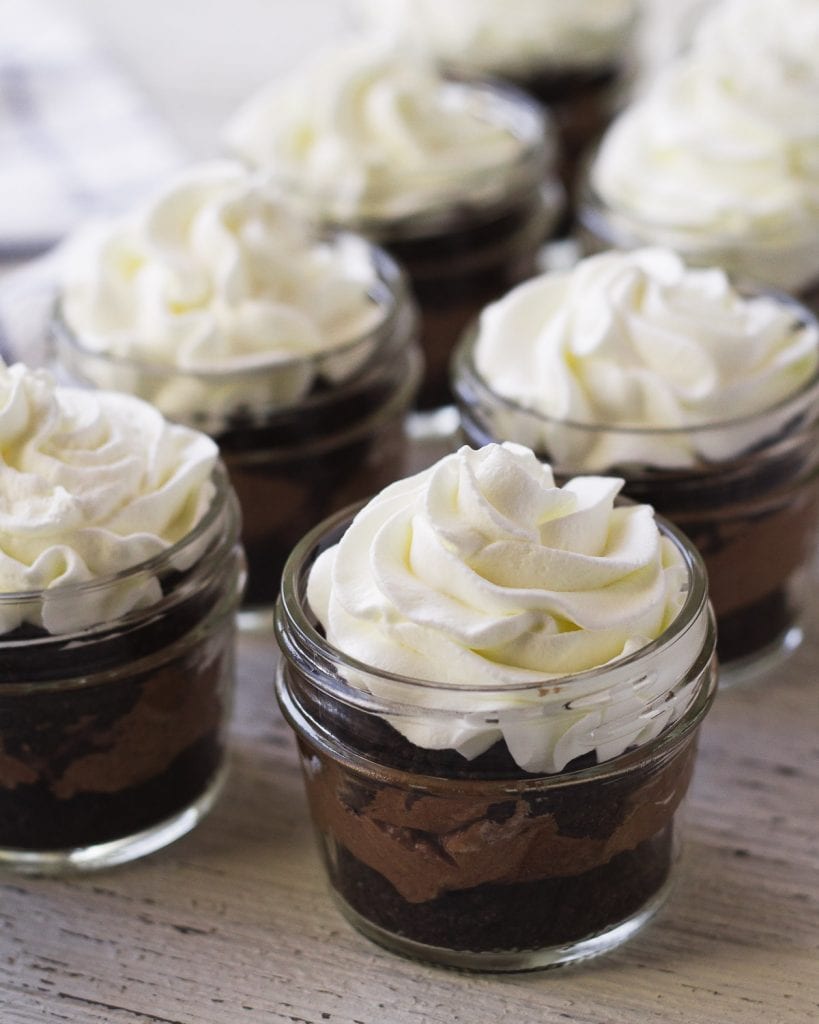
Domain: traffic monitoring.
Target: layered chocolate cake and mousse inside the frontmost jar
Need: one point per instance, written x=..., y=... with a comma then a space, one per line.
x=478, y=856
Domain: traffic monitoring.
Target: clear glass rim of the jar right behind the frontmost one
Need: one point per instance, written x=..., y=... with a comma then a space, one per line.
x=464, y=358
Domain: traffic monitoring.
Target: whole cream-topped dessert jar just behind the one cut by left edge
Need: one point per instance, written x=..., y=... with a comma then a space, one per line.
x=296, y=352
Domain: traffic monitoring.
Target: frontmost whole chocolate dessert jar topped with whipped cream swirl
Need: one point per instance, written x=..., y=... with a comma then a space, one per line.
x=497, y=686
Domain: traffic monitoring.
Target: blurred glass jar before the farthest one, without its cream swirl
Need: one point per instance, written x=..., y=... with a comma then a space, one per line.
x=475, y=236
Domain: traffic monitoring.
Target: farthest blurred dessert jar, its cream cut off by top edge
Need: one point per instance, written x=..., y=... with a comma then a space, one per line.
x=571, y=57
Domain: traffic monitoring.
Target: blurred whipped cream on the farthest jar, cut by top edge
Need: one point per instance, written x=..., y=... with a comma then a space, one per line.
x=497, y=37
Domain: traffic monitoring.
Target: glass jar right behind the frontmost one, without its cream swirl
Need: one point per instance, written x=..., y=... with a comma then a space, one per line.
x=753, y=516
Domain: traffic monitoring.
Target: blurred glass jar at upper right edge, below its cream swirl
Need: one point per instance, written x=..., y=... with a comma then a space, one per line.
x=770, y=259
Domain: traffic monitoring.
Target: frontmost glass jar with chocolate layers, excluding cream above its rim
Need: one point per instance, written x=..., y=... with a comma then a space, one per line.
x=481, y=865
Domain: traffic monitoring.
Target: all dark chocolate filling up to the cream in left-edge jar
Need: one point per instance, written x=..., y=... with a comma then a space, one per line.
x=91, y=752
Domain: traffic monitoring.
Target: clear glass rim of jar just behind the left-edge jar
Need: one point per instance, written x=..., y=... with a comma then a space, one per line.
x=390, y=276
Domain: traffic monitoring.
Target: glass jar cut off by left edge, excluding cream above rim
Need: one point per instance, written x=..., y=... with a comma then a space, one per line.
x=114, y=735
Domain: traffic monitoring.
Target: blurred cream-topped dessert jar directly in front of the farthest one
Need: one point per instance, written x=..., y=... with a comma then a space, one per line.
x=453, y=179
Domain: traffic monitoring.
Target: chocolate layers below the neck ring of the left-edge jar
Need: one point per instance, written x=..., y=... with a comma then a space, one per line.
x=89, y=764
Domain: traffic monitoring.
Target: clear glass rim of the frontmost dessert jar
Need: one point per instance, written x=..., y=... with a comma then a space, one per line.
x=291, y=616
